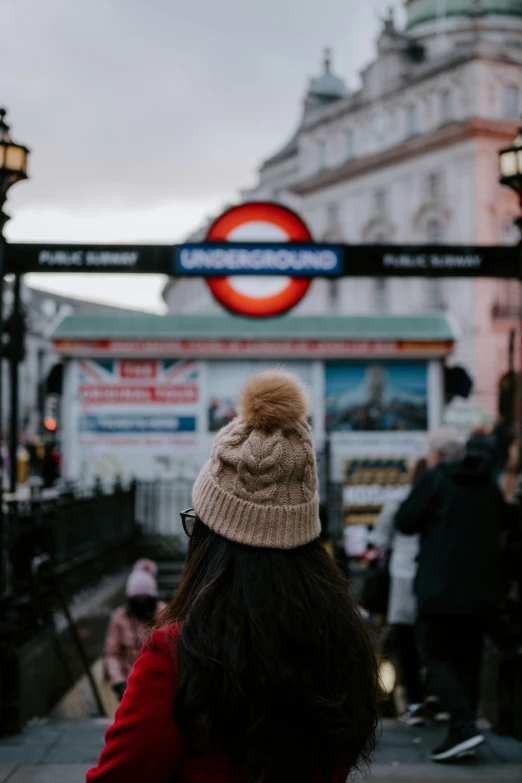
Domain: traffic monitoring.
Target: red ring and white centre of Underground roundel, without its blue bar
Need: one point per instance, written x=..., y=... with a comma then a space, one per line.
x=258, y=296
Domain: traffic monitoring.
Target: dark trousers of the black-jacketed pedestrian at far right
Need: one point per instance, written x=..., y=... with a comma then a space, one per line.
x=452, y=648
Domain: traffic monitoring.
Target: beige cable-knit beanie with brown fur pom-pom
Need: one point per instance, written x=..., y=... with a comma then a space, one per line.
x=260, y=485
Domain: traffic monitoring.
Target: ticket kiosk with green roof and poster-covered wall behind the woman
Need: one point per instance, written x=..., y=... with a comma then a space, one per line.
x=144, y=394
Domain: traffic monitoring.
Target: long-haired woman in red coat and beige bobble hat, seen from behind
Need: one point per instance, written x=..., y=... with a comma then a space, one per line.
x=262, y=669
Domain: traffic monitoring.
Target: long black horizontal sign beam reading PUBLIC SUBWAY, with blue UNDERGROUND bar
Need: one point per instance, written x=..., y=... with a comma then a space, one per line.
x=356, y=260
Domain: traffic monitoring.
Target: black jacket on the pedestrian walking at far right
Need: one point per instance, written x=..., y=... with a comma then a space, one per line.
x=459, y=511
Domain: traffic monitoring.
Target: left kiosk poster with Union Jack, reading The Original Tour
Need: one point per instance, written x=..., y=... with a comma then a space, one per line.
x=135, y=418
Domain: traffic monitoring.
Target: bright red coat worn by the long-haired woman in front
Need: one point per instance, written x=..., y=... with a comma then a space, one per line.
x=144, y=743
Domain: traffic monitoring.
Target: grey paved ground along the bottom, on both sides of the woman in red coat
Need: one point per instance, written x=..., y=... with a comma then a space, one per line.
x=61, y=751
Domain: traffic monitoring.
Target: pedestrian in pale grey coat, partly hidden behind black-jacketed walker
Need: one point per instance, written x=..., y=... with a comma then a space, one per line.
x=401, y=616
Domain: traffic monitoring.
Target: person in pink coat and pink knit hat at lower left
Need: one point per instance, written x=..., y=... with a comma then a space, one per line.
x=128, y=624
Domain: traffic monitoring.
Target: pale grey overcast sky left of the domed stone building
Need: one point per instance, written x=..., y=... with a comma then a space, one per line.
x=144, y=116
